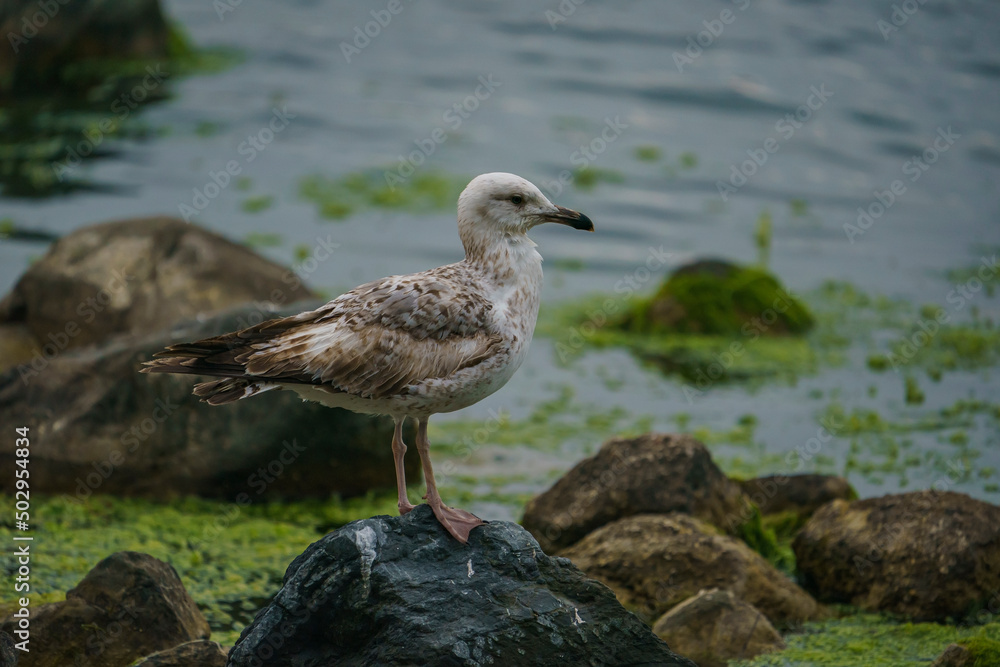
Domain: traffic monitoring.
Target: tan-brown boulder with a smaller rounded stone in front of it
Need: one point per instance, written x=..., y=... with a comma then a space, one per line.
x=654, y=562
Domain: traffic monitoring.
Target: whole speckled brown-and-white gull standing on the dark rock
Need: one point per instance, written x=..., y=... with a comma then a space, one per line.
x=405, y=346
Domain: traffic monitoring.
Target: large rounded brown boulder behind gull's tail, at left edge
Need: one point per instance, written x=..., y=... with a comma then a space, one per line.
x=132, y=277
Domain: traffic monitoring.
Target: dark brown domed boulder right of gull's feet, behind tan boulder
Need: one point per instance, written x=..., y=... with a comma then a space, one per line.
x=653, y=474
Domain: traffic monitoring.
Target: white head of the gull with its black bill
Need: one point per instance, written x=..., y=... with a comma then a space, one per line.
x=504, y=205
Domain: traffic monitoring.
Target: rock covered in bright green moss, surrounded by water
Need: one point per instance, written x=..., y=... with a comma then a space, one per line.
x=716, y=297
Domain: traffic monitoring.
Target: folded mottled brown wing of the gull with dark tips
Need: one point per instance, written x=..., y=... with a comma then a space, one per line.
x=371, y=342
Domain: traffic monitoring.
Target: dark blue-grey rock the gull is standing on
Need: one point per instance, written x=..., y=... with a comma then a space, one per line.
x=401, y=591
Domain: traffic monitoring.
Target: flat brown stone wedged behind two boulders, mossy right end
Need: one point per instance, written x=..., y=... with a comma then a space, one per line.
x=801, y=494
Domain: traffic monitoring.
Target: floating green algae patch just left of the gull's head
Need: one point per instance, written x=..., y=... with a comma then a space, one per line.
x=339, y=198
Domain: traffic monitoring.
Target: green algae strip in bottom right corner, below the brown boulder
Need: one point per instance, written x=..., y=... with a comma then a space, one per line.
x=873, y=640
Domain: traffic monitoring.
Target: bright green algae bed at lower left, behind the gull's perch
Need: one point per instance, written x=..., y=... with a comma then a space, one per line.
x=231, y=558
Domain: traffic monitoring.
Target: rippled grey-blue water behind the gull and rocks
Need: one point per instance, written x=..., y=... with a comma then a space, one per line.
x=556, y=79
